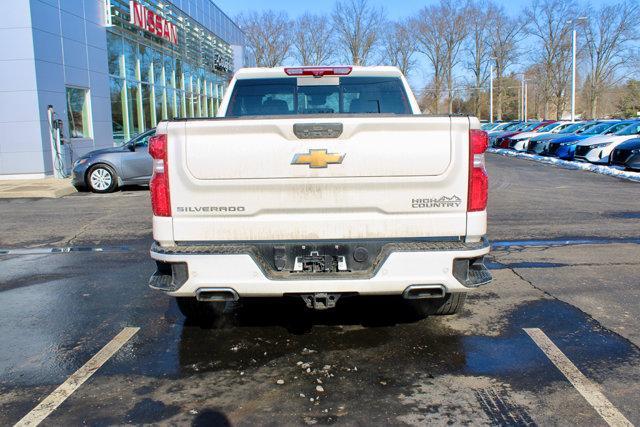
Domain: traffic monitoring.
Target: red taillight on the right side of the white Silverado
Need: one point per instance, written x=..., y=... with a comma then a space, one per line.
x=478, y=179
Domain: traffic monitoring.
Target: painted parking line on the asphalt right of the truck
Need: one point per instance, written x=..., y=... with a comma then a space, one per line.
x=586, y=388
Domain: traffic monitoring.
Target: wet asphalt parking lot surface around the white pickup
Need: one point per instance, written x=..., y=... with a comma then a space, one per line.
x=566, y=271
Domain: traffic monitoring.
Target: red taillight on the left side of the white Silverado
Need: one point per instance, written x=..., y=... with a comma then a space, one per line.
x=159, y=184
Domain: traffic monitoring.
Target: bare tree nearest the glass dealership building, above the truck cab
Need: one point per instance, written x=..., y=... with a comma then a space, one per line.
x=269, y=36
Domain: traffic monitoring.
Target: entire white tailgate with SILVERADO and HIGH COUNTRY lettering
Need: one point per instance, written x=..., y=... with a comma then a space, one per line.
x=367, y=177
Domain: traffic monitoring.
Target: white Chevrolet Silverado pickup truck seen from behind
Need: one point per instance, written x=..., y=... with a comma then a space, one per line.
x=319, y=183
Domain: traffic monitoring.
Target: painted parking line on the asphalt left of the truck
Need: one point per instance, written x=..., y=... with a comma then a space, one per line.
x=59, y=395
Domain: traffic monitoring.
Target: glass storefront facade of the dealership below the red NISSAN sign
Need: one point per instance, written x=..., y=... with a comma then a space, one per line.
x=154, y=80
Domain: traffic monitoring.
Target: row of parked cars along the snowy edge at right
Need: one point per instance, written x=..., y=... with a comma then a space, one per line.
x=612, y=142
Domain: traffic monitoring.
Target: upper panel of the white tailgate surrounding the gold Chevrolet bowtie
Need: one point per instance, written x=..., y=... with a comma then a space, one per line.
x=373, y=147
